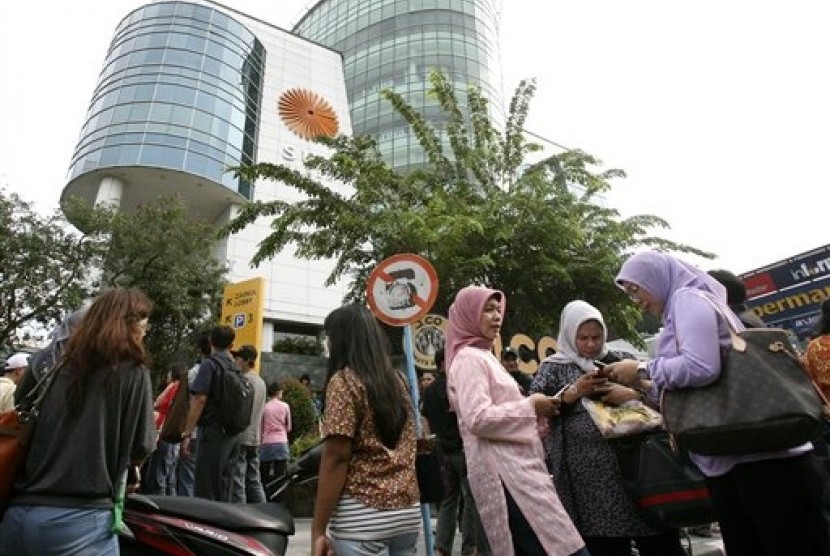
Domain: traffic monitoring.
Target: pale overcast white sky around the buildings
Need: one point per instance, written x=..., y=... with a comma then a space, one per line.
x=719, y=112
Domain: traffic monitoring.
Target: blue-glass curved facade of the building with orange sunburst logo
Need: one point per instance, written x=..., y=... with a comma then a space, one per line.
x=180, y=89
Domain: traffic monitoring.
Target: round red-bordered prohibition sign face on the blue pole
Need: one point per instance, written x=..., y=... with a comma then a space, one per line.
x=402, y=289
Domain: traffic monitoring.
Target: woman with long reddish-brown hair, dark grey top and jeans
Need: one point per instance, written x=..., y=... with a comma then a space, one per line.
x=95, y=421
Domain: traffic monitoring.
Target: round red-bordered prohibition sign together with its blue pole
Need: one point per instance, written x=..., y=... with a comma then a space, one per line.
x=401, y=290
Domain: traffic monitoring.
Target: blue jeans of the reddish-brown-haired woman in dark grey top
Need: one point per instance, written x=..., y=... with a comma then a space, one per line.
x=50, y=530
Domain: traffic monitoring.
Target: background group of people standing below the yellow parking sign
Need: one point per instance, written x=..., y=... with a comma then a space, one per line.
x=208, y=461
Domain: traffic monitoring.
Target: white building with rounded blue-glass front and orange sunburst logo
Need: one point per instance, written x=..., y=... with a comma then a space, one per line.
x=191, y=88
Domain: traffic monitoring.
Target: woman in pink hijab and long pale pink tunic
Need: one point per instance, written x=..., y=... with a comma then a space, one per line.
x=514, y=494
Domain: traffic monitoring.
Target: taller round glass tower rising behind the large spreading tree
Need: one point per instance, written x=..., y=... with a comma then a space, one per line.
x=395, y=44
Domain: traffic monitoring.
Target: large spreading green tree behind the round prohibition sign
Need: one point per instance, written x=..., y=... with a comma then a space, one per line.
x=477, y=211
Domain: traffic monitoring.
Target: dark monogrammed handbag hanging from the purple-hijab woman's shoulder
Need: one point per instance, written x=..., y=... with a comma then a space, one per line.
x=763, y=400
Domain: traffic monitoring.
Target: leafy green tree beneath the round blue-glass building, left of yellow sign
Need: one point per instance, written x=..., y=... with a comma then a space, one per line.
x=160, y=249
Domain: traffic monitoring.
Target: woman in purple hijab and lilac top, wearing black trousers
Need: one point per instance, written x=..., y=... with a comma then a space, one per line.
x=767, y=504
